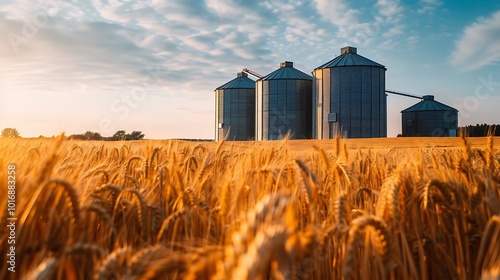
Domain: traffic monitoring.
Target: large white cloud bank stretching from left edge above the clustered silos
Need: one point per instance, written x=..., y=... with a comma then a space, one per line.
x=110, y=42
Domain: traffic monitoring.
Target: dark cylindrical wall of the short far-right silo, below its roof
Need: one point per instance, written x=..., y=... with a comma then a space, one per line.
x=429, y=123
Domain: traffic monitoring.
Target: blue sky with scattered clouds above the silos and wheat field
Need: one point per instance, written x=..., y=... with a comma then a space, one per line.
x=105, y=65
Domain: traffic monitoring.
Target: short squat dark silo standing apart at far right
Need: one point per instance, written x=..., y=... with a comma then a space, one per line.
x=430, y=118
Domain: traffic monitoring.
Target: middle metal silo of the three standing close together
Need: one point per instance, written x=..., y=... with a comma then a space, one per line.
x=284, y=104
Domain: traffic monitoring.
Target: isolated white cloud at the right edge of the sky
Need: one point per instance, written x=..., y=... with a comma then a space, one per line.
x=479, y=44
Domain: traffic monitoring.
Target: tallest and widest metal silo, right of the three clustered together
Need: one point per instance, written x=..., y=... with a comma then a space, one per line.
x=349, y=97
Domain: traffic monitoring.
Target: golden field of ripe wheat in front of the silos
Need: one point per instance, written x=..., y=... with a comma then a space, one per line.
x=421, y=208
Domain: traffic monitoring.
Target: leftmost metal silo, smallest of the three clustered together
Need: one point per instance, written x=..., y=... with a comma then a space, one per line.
x=235, y=109
